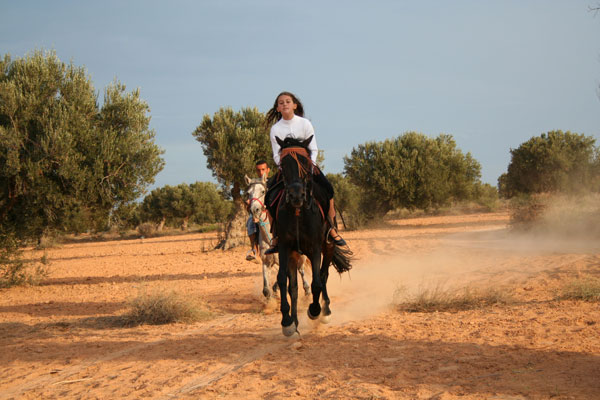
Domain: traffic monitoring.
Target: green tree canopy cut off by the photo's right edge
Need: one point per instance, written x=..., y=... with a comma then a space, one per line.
x=555, y=161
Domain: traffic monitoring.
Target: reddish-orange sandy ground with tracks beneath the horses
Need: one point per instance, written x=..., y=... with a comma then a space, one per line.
x=59, y=340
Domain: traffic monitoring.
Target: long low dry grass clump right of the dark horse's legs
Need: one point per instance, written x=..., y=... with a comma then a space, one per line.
x=439, y=298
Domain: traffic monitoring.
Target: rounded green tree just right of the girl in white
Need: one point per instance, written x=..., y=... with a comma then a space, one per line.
x=412, y=171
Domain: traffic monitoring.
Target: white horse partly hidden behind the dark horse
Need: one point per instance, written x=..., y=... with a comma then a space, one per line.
x=257, y=188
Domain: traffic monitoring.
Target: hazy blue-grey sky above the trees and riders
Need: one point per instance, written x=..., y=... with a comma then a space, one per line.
x=490, y=73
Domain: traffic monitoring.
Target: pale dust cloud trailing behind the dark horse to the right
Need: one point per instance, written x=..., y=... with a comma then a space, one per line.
x=486, y=258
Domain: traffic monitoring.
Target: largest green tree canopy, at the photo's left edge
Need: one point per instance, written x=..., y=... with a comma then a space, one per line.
x=60, y=151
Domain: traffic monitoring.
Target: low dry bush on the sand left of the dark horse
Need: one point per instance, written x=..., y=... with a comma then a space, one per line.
x=159, y=308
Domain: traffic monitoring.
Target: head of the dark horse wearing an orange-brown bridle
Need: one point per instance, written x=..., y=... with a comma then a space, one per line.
x=297, y=169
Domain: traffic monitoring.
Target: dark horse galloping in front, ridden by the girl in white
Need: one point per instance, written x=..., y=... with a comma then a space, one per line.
x=300, y=212
